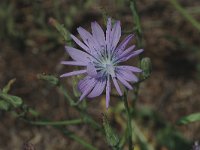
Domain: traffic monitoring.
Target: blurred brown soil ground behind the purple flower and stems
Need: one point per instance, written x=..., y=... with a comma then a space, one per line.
x=29, y=45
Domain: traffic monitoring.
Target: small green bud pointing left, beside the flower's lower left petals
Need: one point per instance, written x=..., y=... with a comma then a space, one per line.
x=49, y=78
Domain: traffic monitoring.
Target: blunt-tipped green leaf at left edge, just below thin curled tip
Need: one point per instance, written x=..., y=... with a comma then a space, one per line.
x=15, y=101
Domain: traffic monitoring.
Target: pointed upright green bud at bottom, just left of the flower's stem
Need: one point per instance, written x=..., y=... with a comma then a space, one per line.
x=111, y=136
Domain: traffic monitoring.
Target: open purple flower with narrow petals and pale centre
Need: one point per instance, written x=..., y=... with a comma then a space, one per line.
x=100, y=59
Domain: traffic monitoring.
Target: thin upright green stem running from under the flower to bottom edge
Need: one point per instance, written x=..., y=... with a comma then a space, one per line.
x=129, y=127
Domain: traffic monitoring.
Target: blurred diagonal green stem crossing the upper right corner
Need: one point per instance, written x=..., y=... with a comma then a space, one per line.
x=185, y=14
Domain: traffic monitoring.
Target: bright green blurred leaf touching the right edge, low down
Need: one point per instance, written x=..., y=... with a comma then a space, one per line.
x=190, y=118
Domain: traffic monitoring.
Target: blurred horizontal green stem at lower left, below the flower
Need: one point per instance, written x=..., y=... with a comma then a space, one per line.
x=57, y=123
